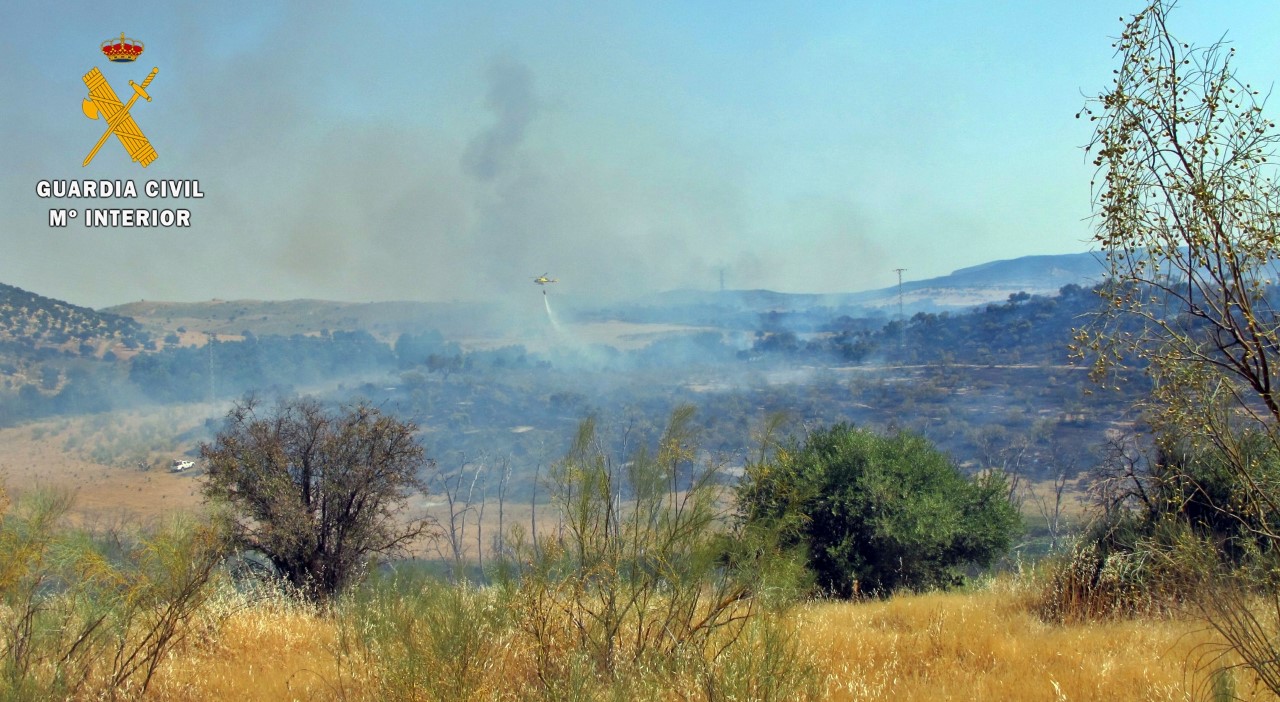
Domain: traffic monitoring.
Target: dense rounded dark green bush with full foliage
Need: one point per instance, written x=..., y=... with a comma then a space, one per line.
x=877, y=514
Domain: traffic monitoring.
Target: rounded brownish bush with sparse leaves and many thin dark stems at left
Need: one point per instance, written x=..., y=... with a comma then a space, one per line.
x=318, y=493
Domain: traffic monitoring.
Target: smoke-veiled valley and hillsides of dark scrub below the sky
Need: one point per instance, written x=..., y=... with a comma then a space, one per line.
x=488, y=388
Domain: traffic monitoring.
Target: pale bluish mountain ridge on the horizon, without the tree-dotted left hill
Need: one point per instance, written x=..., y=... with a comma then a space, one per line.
x=735, y=309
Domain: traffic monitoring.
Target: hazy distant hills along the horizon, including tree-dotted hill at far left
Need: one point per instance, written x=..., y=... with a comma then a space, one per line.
x=43, y=340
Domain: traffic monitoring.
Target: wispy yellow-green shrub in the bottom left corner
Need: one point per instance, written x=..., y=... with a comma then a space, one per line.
x=83, y=614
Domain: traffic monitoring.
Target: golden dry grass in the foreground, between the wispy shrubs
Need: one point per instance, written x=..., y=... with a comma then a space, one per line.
x=984, y=645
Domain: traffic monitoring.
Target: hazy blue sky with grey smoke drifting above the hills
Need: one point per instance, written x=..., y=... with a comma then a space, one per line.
x=456, y=151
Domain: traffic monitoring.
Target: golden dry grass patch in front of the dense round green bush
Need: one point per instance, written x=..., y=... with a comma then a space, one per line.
x=989, y=645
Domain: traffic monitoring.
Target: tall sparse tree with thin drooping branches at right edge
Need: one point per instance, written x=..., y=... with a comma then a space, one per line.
x=1188, y=212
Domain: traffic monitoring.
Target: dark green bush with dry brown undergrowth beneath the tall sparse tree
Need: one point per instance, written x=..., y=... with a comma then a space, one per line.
x=1168, y=531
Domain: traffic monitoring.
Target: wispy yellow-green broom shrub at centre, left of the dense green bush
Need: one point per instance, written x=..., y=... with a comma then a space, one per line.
x=642, y=577
